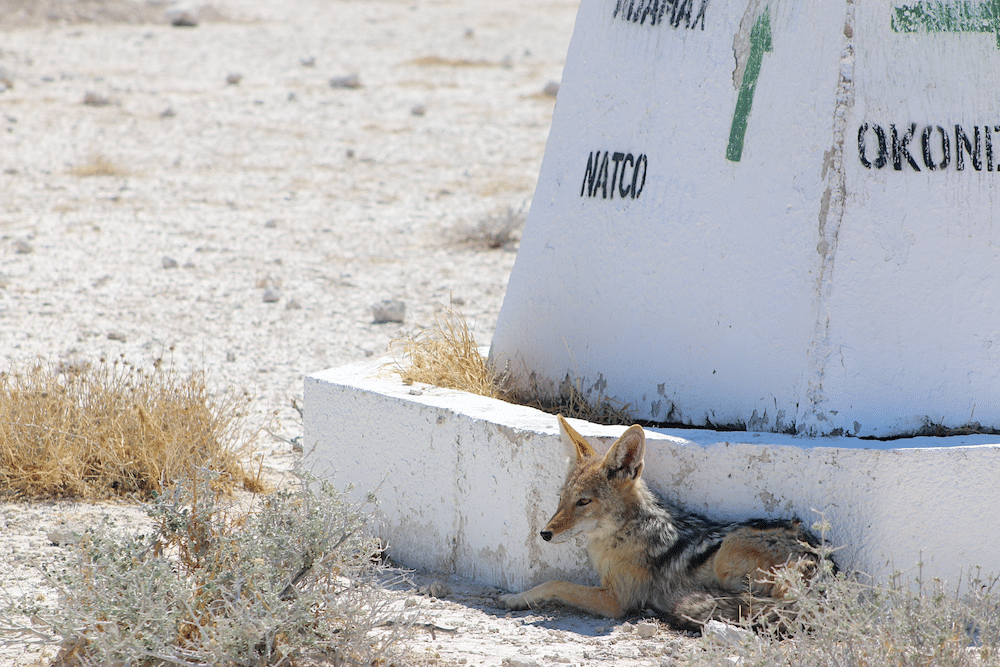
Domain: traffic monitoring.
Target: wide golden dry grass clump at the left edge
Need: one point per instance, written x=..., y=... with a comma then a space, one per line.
x=115, y=430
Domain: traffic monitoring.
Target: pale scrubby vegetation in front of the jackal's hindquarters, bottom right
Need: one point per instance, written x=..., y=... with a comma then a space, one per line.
x=848, y=622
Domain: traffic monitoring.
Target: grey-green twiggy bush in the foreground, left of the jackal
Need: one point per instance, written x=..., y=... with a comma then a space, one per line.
x=296, y=576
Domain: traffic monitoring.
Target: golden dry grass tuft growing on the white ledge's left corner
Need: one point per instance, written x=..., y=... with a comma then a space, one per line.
x=446, y=355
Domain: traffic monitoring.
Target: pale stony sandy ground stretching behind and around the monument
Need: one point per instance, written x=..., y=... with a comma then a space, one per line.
x=331, y=198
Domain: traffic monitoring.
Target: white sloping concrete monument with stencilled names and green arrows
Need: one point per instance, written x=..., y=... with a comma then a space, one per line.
x=776, y=214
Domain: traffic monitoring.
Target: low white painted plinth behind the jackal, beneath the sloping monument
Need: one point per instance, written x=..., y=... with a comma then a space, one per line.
x=465, y=482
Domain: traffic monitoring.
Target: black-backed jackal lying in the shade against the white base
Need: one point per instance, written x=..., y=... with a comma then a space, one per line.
x=653, y=554
